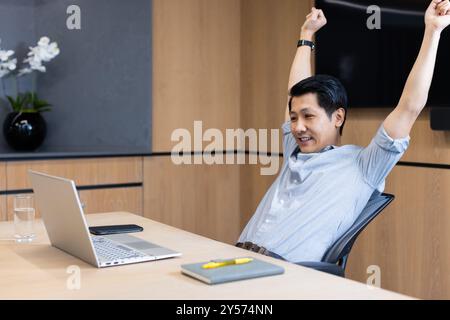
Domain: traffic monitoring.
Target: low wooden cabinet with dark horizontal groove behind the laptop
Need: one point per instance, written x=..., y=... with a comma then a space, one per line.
x=105, y=184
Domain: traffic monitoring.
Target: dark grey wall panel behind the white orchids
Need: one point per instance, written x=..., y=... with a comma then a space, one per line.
x=100, y=84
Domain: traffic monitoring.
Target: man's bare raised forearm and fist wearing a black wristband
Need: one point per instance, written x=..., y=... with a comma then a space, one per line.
x=301, y=67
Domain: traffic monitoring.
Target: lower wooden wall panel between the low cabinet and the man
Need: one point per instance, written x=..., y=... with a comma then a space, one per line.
x=202, y=199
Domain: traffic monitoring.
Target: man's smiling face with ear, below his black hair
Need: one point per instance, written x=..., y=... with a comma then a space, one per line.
x=311, y=126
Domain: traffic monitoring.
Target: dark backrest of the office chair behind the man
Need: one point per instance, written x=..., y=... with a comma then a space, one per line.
x=339, y=251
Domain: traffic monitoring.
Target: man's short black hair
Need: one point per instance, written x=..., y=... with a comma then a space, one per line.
x=331, y=94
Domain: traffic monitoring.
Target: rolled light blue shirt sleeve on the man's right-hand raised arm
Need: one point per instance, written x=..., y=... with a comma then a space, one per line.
x=380, y=156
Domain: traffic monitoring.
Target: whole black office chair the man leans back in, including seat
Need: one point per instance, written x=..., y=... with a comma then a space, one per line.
x=335, y=259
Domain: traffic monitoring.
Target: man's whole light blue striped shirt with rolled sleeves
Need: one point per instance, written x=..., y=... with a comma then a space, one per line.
x=317, y=196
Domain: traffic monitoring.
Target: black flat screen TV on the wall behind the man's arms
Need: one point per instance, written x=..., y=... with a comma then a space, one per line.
x=373, y=64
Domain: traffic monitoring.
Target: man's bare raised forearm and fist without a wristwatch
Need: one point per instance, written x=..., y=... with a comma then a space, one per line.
x=415, y=94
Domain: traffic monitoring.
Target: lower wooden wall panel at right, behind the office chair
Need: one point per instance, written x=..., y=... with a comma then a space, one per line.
x=409, y=241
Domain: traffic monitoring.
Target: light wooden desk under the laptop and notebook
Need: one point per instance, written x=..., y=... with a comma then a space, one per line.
x=39, y=271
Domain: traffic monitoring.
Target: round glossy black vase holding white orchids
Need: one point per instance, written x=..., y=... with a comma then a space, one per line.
x=24, y=131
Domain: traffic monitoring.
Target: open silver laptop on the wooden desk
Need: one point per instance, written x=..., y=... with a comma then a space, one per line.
x=62, y=213
